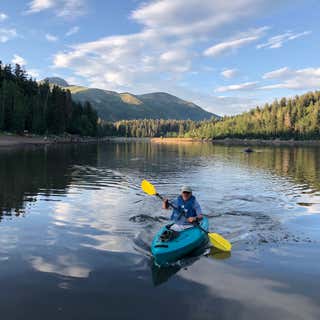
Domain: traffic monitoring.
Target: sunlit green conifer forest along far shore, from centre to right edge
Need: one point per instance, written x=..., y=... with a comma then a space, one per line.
x=295, y=118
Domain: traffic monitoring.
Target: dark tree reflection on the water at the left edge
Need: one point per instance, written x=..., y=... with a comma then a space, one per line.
x=27, y=172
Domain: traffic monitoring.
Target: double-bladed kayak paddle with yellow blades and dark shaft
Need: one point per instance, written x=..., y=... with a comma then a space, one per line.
x=216, y=240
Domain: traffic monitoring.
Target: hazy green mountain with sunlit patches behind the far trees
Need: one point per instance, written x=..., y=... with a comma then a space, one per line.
x=113, y=106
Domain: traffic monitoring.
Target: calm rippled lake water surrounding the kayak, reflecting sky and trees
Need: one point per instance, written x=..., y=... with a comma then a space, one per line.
x=75, y=232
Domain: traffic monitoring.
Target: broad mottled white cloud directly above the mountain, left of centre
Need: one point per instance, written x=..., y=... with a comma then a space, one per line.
x=128, y=60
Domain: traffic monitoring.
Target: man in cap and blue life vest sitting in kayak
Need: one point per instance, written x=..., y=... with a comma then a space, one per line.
x=187, y=210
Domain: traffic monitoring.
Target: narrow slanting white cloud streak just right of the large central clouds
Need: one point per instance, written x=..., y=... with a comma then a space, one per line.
x=235, y=43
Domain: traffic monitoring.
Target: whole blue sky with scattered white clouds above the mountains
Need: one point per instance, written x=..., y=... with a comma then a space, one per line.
x=226, y=56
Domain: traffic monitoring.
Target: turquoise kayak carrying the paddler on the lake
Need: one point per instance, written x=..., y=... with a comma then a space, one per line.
x=187, y=240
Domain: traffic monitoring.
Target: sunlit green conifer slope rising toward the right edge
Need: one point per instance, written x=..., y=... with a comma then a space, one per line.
x=297, y=118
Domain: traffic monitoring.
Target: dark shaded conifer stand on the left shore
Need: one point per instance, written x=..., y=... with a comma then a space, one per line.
x=29, y=106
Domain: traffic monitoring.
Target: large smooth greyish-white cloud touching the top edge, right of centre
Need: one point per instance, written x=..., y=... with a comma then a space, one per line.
x=191, y=17
